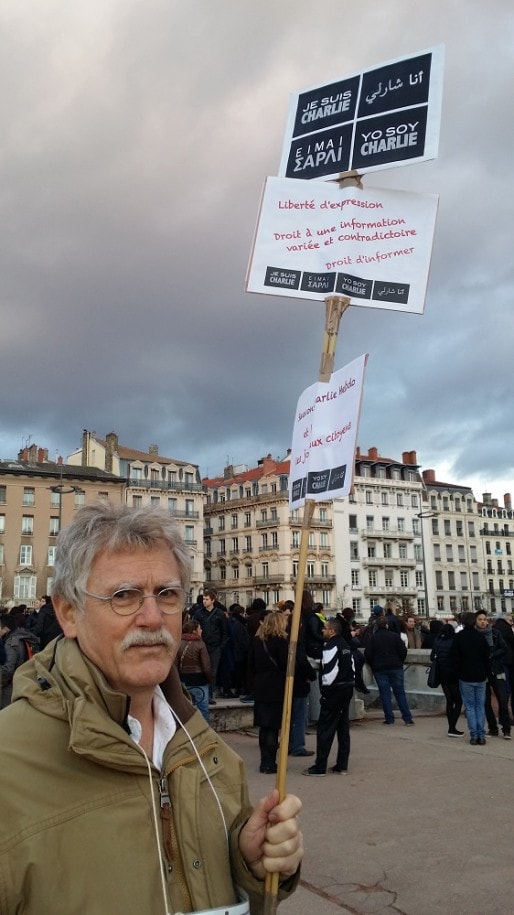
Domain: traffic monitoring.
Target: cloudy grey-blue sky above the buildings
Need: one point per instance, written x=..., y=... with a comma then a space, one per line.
x=136, y=137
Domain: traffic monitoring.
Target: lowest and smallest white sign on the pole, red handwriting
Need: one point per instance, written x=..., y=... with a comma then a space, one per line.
x=325, y=435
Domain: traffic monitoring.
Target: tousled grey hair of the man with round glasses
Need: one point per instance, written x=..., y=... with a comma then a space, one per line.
x=106, y=526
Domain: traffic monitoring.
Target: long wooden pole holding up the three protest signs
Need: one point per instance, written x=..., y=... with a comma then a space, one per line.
x=335, y=306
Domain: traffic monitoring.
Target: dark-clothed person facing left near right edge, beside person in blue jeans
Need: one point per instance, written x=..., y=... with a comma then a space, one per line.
x=499, y=655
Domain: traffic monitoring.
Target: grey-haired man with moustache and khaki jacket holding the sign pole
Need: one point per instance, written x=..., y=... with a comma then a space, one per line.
x=112, y=775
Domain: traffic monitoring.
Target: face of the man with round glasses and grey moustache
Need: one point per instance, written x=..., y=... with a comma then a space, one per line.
x=100, y=632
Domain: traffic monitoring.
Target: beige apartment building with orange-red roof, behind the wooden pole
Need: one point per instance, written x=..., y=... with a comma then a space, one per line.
x=252, y=541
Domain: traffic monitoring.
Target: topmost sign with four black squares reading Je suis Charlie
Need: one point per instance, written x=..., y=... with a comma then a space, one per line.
x=376, y=119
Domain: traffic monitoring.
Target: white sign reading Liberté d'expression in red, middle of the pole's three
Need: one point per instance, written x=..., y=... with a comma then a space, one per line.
x=314, y=239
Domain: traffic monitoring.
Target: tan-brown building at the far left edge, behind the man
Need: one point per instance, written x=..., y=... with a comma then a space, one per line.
x=37, y=498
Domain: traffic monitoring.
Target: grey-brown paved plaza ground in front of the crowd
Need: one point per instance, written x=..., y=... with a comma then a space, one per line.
x=421, y=825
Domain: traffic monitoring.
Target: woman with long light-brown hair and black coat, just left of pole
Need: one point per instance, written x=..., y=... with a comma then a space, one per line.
x=269, y=661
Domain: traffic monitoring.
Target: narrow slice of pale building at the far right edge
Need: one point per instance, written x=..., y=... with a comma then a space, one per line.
x=497, y=537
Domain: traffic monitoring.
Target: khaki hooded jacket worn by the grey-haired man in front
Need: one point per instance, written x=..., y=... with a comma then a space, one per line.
x=78, y=803
